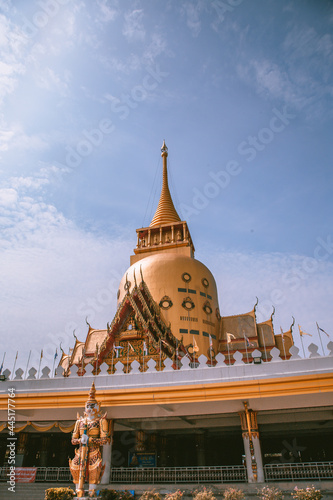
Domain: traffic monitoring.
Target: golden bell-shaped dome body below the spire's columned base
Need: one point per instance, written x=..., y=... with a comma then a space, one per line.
x=186, y=292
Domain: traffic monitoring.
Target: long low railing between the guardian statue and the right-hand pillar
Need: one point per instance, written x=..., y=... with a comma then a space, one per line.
x=153, y=475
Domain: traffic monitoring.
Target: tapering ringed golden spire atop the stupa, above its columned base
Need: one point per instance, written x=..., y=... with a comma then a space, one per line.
x=165, y=212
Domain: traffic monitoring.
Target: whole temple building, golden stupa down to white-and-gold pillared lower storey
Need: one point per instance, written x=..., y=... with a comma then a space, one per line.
x=182, y=384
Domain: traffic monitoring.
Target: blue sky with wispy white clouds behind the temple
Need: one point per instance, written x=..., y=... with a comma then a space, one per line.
x=242, y=94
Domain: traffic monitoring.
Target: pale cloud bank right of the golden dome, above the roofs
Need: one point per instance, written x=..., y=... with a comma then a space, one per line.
x=286, y=281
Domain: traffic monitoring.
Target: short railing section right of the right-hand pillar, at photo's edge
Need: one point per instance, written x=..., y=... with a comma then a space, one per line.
x=303, y=471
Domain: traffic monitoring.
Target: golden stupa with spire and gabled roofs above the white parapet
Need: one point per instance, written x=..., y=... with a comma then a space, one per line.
x=167, y=306
